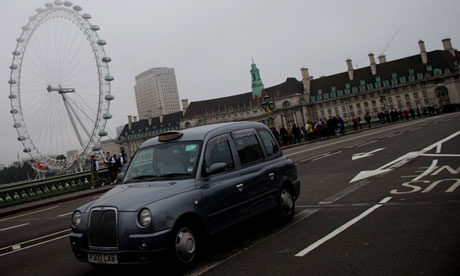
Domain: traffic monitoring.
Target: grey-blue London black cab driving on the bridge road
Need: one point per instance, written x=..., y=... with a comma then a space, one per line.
x=182, y=186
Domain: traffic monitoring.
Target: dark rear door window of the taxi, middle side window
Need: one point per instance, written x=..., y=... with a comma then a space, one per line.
x=247, y=146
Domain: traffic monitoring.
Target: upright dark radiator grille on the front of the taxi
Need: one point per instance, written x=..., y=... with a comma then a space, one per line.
x=102, y=229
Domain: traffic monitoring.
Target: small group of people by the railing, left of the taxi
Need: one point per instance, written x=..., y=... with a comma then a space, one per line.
x=115, y=164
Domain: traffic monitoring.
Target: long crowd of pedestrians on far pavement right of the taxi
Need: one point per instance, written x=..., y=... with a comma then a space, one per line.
x=335, y=125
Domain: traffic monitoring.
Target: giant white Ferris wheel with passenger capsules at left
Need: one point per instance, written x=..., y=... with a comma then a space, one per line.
x=60, y=86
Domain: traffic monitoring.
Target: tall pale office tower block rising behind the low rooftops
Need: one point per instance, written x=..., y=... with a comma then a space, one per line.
x=156, y=93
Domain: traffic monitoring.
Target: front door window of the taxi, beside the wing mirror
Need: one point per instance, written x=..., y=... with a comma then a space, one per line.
x=218, y=151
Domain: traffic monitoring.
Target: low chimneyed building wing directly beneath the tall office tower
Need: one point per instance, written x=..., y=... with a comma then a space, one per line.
x=136, y=132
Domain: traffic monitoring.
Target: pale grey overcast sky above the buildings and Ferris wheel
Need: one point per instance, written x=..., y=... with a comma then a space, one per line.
x=210, y=43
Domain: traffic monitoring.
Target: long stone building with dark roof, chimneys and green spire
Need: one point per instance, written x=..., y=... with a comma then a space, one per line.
x=419, y=81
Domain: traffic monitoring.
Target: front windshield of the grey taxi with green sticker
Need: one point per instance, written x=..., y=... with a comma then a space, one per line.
x=164, y=162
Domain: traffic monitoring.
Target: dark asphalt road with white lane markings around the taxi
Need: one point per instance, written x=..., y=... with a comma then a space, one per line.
x=384, y=201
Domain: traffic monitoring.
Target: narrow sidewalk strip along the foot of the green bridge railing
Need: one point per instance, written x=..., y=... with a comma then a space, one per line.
x=15, y=209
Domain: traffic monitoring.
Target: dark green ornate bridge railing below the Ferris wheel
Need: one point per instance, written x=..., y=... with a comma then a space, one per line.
x=12, y=194
